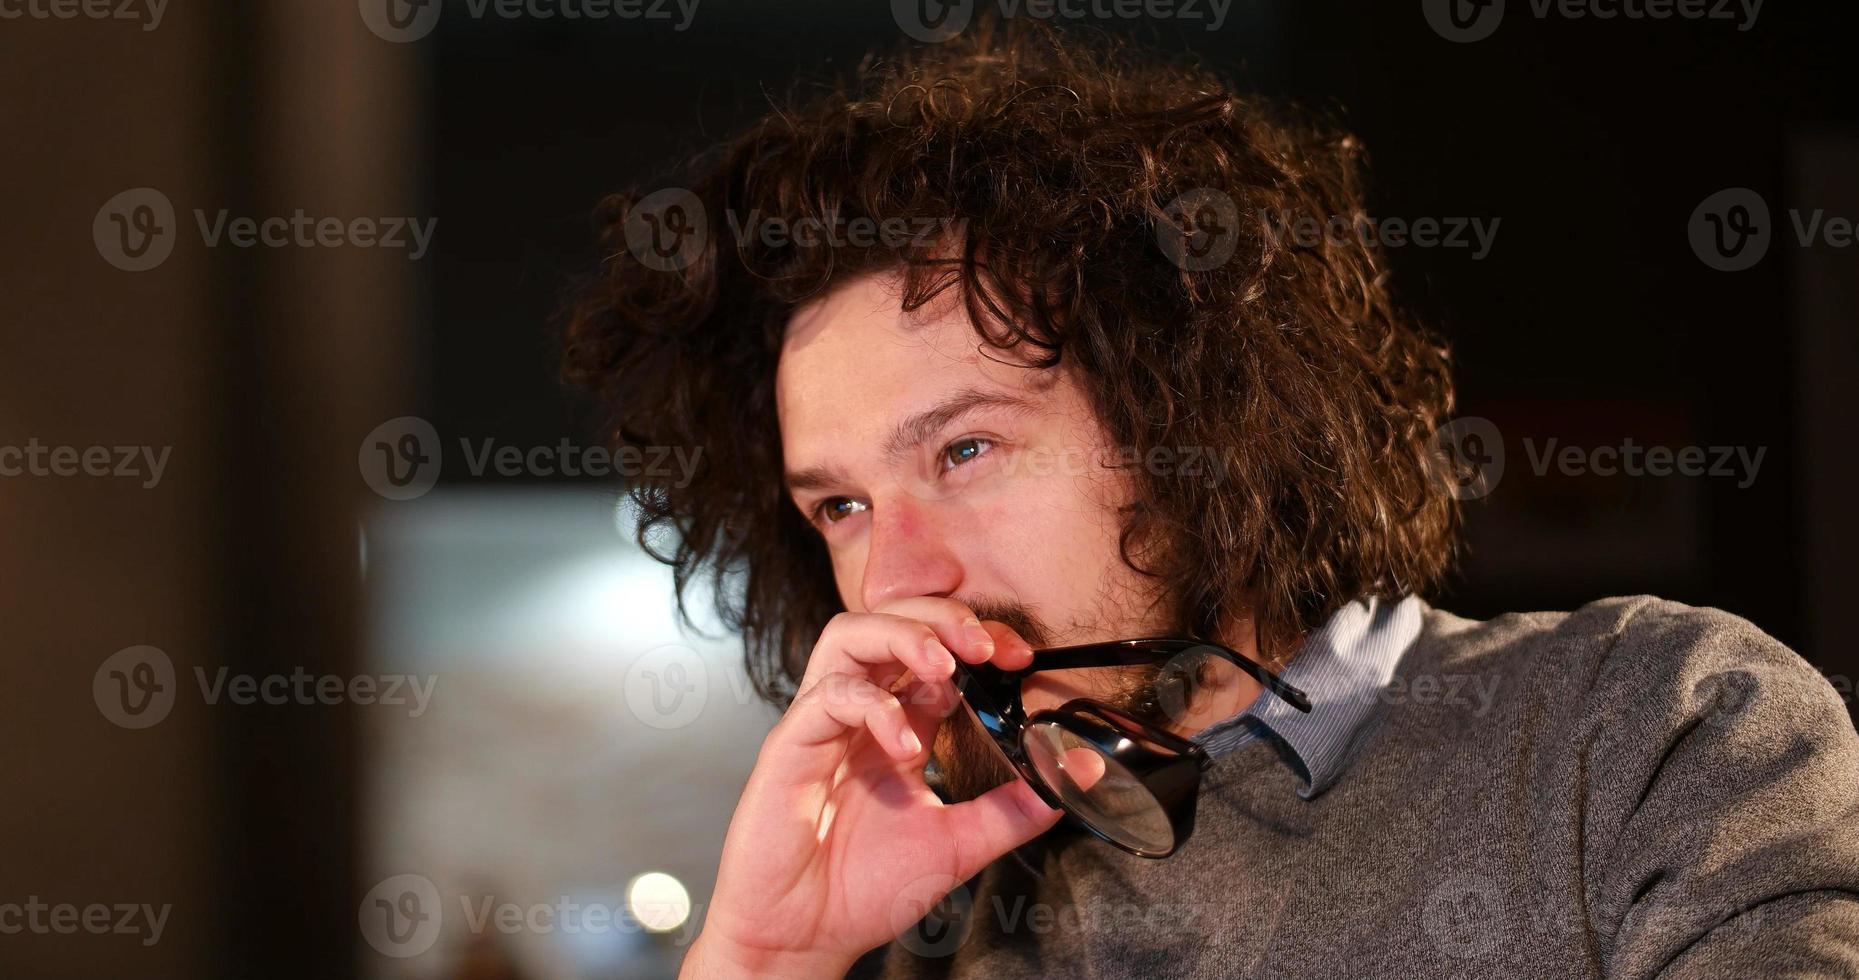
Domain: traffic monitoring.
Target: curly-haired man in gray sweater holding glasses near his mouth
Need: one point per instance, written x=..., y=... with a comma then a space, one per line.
x=1003, y=347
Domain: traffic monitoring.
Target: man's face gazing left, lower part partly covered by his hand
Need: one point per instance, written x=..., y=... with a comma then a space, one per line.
x=936, y=466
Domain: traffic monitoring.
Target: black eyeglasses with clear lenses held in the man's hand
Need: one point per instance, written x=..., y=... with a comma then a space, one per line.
x=1127, y=782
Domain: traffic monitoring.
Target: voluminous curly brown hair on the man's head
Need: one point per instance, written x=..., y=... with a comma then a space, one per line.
x=1059, y=157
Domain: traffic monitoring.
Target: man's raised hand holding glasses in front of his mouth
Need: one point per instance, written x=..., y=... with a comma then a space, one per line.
x=837, y=843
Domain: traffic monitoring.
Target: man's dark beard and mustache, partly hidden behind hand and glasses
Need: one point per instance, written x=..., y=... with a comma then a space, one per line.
x=969, y=763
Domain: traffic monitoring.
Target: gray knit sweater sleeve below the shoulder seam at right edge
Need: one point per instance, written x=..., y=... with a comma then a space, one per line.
x=1722, y=815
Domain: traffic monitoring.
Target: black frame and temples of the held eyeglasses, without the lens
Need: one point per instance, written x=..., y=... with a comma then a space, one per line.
x=1170, y=776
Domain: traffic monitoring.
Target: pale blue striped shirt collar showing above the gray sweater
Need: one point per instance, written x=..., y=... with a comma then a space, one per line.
x=1341, y=667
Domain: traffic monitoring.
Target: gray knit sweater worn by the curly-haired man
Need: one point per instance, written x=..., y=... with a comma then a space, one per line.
x=1655, y=791
